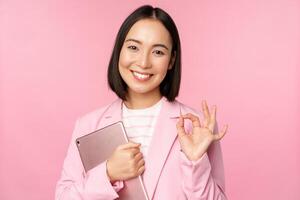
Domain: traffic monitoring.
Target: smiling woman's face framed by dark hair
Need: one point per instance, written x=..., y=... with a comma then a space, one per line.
x=145, y=57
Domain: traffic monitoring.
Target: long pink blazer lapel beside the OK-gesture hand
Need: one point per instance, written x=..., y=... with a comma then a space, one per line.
x=163, y=138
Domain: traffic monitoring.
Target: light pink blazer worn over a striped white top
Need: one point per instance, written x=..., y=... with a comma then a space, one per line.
x=168, y=175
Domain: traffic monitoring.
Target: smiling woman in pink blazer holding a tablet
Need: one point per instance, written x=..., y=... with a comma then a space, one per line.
x=177, y=160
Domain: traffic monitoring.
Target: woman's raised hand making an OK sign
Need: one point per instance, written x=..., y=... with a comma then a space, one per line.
x=195, y=144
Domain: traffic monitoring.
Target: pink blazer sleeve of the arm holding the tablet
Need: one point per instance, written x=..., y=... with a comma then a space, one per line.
x=75, y=184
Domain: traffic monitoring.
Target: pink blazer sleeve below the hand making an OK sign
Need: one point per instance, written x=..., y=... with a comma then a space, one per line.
x=204, y=179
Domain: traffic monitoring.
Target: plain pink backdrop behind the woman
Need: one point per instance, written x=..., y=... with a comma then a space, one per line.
x=242, y=56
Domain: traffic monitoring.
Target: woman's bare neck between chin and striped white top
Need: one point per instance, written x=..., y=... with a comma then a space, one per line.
x=140, y=101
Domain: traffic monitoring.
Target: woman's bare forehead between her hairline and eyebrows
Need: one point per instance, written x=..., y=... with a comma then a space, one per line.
x=149, y=31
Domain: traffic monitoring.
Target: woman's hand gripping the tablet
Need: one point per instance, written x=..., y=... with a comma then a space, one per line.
x=125, y=163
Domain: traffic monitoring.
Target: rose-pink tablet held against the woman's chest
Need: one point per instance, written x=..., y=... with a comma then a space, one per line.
x=96, y=147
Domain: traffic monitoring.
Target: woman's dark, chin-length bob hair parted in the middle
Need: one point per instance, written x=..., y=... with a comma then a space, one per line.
x=169, y=87
